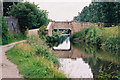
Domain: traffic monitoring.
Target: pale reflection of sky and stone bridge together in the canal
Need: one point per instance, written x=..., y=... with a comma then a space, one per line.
x=71, y=62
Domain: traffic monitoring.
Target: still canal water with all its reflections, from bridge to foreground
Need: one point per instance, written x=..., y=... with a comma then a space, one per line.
x=85, y=61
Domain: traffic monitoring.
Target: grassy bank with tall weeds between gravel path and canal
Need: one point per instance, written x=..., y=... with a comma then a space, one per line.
x=34, y=59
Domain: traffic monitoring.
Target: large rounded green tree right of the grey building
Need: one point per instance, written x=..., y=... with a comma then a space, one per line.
x=29, y=15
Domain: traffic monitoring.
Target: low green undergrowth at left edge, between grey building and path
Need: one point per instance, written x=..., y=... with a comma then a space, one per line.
x=6, y=36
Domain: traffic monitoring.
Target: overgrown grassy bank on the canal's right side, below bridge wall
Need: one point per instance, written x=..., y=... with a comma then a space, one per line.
x=107, y=38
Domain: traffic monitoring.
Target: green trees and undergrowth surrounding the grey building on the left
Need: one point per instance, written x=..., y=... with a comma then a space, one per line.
x=29, y=16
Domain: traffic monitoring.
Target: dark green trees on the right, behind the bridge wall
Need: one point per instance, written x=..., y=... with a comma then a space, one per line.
x=100, y=12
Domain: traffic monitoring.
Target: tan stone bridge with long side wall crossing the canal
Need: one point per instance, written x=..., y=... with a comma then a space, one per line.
x=74, y=26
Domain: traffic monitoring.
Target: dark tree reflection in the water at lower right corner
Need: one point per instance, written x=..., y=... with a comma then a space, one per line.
x=103, y=69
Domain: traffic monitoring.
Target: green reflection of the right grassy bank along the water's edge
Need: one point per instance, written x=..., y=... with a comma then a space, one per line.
x=99, y=53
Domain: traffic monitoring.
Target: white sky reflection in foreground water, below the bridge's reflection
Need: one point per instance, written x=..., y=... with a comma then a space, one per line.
x=75, y=68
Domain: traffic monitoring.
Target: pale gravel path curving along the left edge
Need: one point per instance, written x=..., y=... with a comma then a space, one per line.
x=7, y=68
